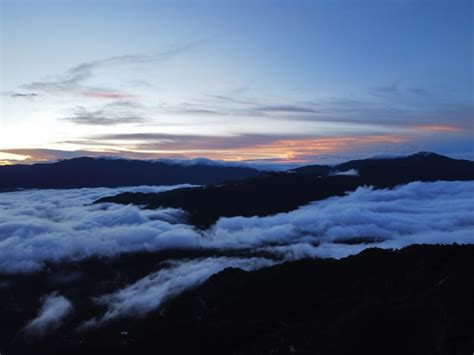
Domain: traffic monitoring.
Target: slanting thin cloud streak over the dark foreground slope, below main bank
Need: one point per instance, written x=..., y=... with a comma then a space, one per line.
x=150, y=292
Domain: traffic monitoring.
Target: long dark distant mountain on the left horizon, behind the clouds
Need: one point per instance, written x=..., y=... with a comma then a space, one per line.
x=103, y=172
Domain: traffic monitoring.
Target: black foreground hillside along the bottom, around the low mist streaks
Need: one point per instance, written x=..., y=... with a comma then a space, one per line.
x=419, y=300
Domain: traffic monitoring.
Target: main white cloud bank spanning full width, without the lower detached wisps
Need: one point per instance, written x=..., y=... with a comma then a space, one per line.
x=40, y=226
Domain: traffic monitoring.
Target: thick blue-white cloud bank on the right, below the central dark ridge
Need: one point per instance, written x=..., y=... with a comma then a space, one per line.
x=413, y=213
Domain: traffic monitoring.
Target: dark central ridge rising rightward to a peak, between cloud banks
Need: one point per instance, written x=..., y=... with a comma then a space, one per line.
x=272, y=193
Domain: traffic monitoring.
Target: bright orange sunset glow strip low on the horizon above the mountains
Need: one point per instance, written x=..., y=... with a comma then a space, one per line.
x=284, y=150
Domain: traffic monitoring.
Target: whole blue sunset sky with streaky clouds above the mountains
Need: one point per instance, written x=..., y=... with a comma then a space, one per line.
x=274, y=81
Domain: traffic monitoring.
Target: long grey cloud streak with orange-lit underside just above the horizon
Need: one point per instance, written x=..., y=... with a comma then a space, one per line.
x=246, y=147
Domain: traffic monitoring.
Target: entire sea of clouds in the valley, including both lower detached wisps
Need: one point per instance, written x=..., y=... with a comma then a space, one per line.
x=38, y=227
